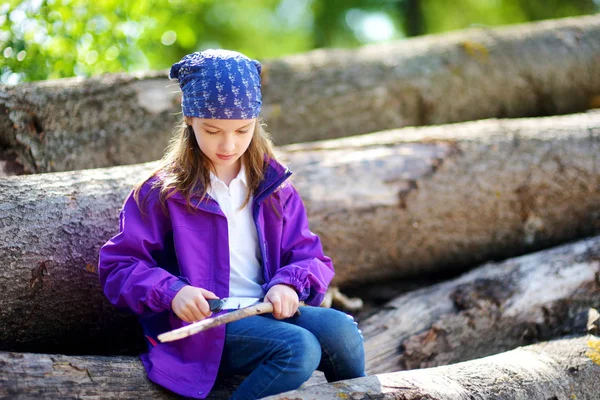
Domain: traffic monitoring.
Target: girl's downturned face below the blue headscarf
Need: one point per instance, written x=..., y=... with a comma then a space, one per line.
x=224, y=141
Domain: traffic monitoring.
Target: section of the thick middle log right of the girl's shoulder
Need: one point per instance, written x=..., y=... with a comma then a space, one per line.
x=439, y=199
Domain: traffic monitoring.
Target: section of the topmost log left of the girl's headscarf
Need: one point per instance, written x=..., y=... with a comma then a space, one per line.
x=72, y=124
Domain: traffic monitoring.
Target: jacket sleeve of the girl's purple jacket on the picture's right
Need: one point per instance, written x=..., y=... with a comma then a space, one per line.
x=303, y=264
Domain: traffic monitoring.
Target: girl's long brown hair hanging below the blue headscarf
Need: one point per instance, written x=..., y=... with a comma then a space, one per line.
x=185, y=169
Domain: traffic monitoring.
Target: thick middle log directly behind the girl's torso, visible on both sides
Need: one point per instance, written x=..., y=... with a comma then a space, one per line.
x=392, y=204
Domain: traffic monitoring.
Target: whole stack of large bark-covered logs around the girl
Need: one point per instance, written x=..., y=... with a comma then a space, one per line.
x=431, y=201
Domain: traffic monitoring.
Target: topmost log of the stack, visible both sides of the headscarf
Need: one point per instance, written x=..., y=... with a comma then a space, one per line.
x=543, y=68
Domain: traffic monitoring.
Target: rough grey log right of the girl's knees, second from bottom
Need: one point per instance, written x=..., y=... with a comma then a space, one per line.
x=492, y=309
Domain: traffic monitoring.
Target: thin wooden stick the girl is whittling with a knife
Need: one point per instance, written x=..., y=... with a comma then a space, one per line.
x=180, y=333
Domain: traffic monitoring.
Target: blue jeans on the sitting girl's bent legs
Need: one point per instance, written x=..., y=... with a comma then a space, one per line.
x=280, y=355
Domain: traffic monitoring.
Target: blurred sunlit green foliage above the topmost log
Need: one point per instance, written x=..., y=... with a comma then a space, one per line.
x=62, y=38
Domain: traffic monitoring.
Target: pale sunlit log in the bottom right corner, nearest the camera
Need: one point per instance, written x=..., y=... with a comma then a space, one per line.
x=561, y=369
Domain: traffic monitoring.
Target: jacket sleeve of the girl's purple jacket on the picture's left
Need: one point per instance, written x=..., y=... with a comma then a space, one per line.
x=129, y=275
